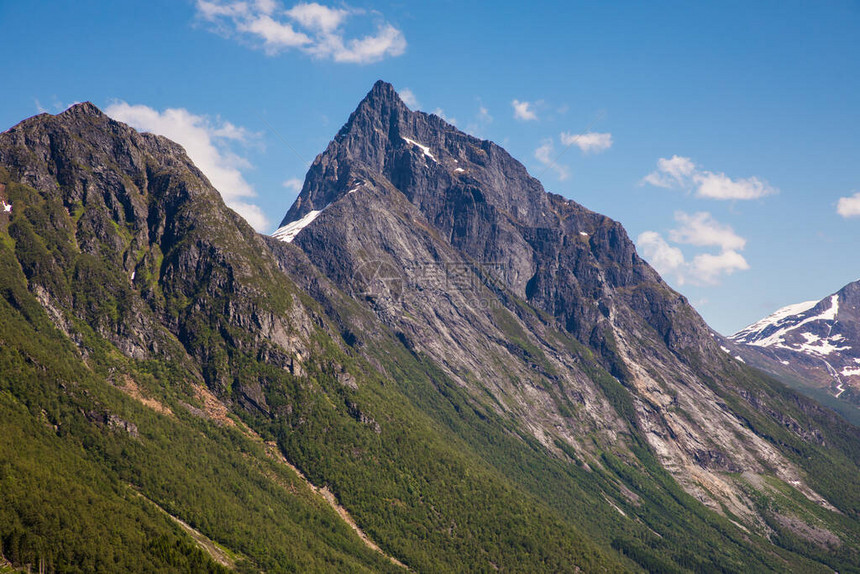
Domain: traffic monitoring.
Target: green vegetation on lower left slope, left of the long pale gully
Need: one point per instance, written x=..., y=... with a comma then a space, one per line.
x=70, y=480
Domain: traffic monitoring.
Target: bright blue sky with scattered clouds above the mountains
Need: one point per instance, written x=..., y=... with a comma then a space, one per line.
x=724, y=136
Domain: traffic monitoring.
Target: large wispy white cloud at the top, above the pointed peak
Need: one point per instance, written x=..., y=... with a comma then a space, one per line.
x=312, y=28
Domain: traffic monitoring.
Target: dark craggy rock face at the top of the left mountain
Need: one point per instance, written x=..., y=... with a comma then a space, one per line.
x=158, y=265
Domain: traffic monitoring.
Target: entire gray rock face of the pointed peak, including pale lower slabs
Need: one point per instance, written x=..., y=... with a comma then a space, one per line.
x=453, y=245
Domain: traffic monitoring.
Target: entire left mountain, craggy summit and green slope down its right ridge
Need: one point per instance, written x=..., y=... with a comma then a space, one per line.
x=121, y=250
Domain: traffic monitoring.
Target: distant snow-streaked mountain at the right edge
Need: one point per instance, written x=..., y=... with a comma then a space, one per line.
x=816, y=343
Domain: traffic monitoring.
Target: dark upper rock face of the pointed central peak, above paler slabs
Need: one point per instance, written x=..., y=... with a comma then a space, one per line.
x=564, y=259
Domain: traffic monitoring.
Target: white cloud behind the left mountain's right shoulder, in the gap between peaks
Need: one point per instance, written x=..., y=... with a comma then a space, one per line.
x=207, y=143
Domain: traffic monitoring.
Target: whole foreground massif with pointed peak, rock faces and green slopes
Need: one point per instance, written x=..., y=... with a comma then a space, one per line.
x=433, y=364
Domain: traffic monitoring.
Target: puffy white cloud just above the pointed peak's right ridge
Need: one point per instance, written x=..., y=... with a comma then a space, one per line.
x=702, y=230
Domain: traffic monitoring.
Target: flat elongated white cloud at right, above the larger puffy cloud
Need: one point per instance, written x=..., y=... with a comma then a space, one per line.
x=681, y=173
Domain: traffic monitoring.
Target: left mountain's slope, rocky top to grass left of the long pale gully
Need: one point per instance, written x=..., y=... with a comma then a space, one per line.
x=106, y=419
